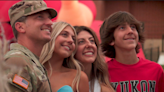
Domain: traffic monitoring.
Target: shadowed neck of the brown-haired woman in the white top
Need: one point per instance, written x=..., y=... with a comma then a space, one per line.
x=88, y=70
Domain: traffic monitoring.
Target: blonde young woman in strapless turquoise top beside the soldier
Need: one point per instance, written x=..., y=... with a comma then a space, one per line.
x=58, y=58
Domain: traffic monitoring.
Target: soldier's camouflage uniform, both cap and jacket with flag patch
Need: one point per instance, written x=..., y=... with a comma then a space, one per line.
x=33, y=77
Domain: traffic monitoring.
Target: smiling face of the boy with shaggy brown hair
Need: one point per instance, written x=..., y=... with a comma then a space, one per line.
x=126, y=37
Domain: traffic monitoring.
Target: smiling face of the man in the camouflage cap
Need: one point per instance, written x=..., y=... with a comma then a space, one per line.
x=38, y=27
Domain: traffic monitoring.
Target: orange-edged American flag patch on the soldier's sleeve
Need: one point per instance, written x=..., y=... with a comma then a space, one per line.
x=20, y=81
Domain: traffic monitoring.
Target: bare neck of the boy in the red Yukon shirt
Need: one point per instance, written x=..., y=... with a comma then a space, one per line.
x=125, y=57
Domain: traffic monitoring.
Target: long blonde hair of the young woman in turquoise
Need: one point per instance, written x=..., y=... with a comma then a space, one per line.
x=69, y=62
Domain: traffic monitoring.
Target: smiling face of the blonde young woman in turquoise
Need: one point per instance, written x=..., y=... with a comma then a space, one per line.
x=65, y=43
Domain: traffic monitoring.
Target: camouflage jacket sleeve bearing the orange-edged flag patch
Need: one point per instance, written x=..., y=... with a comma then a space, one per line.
x=20, y=79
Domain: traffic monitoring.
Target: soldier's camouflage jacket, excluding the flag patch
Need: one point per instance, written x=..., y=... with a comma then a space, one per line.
x=32, y=70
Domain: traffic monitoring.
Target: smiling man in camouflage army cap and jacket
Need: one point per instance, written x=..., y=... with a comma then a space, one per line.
x=31, y=24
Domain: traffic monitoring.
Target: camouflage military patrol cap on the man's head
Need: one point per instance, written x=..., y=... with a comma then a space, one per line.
x=28, y=7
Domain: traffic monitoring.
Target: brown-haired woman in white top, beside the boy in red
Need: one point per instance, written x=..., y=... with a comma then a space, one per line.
x=89, y=54
